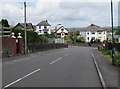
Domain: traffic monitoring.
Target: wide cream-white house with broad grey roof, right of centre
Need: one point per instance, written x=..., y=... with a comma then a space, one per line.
x=93, y=32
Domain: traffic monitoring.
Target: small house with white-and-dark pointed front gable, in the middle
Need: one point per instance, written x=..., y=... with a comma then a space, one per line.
x=62, y=32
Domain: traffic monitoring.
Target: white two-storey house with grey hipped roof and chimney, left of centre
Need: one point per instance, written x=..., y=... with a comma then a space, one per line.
x=43, y=27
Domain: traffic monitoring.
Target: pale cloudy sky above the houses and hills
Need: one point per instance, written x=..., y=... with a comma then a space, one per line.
x=69, y=13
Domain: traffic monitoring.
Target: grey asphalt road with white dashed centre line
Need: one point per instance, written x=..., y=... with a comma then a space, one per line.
x=68, y=67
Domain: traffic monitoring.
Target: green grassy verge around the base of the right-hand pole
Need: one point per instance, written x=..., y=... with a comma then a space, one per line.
x=107, y=54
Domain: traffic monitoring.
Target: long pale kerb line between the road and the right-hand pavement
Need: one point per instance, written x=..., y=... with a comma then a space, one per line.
x=99, y=72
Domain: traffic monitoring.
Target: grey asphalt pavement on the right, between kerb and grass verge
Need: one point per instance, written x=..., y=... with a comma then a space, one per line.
x=109, y=72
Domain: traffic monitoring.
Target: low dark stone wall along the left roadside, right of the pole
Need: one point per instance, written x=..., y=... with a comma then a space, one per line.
x=44, y=47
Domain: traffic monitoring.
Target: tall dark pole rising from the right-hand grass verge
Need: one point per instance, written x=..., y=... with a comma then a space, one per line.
x=113, y=51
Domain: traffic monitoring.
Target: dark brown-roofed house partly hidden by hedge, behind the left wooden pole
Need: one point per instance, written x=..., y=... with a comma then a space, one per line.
x=29, y=26
